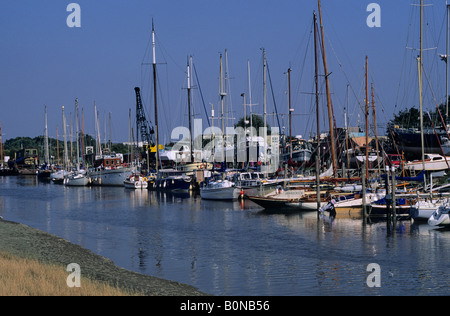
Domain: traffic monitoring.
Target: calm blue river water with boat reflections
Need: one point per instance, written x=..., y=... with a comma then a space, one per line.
x=230, y=248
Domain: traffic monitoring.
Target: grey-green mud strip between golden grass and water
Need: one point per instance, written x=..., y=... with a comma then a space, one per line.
x=28, y=242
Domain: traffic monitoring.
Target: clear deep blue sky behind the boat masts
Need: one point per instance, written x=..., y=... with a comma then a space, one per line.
x=44, y=62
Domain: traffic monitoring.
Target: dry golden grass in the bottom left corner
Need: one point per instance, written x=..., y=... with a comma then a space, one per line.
x=29, y=277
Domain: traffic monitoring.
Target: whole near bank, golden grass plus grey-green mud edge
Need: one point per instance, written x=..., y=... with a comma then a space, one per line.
x=21, y=245
